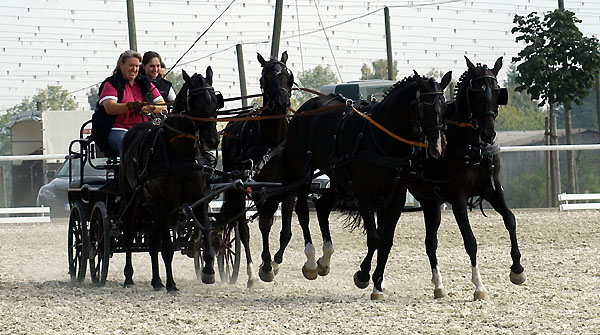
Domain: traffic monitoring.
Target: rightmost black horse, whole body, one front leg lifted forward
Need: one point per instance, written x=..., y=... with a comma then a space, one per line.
x=470, y=168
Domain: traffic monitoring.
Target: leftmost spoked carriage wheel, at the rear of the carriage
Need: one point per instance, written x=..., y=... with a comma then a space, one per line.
x=77, y=243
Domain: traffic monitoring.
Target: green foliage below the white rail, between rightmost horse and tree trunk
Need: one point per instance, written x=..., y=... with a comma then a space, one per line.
x=527, y=191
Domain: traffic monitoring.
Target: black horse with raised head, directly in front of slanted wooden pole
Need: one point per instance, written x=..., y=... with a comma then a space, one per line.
x=257, y=146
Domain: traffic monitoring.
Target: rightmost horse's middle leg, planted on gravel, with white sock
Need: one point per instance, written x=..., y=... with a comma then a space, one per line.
x=462, y=218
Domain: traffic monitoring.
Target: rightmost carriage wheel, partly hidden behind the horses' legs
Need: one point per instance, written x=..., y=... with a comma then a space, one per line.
x=229, y=255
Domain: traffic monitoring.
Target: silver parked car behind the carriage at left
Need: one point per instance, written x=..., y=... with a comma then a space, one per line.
x=54, y=194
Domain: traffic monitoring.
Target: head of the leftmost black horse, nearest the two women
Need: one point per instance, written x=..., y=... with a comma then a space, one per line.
x=199, y=100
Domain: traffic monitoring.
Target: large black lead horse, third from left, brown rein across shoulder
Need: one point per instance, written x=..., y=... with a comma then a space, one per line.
x=363, y=149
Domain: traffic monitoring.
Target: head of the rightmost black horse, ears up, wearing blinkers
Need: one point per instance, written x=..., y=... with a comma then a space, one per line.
x=482, y=97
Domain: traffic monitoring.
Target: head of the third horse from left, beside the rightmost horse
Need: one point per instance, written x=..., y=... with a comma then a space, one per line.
x=431, y=112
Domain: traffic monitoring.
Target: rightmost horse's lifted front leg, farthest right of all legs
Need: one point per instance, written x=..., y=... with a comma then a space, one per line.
x=517, y=272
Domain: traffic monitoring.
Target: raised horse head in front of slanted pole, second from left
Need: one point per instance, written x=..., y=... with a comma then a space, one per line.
x=276, y=83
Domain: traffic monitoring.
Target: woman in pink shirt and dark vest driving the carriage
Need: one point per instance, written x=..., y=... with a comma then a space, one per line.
x=124, y=94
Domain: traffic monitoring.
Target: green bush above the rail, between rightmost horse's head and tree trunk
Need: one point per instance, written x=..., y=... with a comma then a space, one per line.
x=521, y=112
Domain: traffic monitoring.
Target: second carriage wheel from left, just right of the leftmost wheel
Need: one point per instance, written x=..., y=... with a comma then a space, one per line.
x=99, y=244
